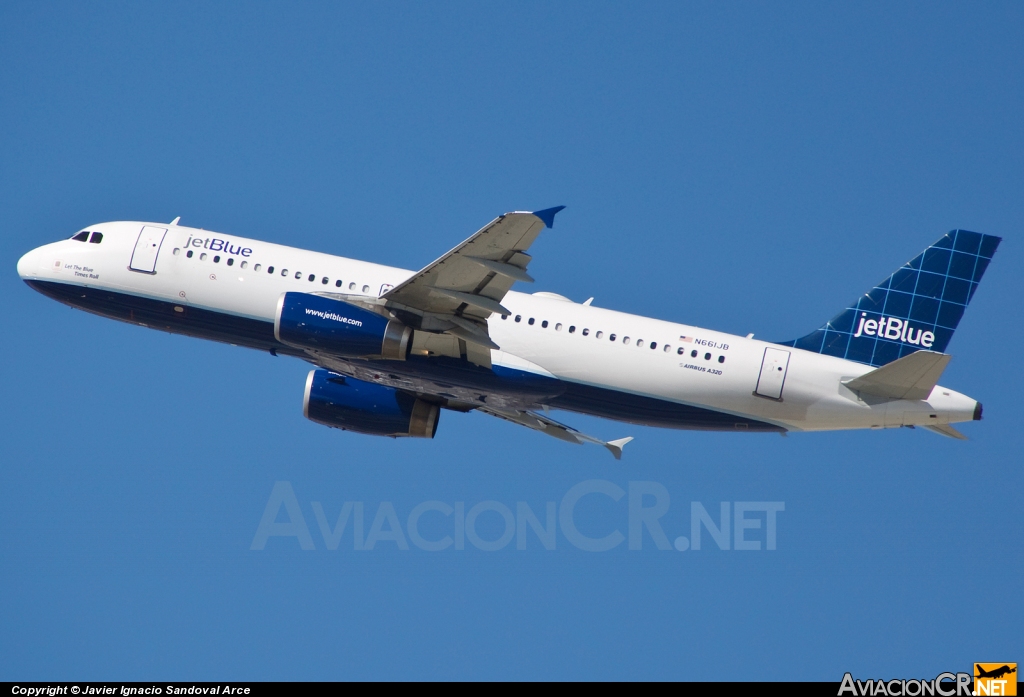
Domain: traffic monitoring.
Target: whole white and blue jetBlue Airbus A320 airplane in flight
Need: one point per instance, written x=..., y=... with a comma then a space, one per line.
x=393, y=348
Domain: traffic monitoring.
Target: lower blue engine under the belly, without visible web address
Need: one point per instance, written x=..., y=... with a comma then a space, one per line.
x=352, y=405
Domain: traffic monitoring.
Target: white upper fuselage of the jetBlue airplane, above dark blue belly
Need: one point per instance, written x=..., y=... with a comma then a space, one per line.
x=687, y=365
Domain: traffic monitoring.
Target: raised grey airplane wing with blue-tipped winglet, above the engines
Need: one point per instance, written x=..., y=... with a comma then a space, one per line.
x=458, y=293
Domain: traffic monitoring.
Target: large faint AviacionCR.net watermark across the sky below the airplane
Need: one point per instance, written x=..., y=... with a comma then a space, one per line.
x=493, y=526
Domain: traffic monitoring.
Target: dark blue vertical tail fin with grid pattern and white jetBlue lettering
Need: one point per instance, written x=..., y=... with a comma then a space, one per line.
x=918, y=308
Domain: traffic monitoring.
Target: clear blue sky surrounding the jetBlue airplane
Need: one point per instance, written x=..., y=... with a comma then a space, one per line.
x=741, y=167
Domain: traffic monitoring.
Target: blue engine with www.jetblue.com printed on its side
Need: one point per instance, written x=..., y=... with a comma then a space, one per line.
x=313, y=322
